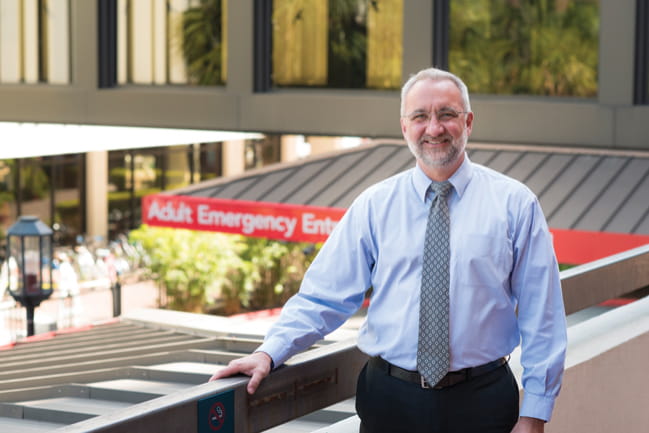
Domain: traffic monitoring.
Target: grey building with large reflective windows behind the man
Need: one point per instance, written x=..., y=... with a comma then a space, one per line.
x=301, y=74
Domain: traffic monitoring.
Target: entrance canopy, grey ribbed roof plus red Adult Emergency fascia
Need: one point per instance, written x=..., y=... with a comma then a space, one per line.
x=596, y=202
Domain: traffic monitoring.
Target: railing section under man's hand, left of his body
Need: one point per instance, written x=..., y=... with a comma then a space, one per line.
x=312, y=380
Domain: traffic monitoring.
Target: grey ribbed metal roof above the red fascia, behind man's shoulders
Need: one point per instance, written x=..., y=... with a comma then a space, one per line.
x=581, y=189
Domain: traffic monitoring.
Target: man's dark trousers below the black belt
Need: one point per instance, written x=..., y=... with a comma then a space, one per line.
x=484, y=404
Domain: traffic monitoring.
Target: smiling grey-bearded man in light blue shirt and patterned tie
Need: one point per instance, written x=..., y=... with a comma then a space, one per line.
x=497, y=285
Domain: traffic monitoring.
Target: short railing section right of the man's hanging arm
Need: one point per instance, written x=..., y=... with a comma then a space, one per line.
x=595, y=282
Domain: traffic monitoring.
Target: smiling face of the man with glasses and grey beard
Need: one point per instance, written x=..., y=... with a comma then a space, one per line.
x=435, y=125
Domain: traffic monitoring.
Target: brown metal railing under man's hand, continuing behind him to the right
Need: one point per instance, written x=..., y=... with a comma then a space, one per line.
x=325, y=375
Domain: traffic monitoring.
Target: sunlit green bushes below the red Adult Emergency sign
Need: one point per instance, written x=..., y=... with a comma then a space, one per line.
x=222, y=273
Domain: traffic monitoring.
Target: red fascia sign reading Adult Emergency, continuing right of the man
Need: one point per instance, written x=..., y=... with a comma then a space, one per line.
x=300, y=223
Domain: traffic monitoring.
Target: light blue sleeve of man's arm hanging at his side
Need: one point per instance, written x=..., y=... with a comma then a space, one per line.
x=541, y=315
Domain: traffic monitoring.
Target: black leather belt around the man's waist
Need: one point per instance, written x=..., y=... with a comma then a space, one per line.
x=451, y=378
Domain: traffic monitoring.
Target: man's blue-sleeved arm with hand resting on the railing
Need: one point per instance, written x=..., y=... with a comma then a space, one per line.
x=333, y=289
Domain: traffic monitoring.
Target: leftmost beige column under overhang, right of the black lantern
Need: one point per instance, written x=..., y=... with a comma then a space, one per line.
x=97, y=194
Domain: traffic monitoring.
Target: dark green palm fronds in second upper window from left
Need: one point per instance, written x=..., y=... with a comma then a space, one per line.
x=202, y=42
